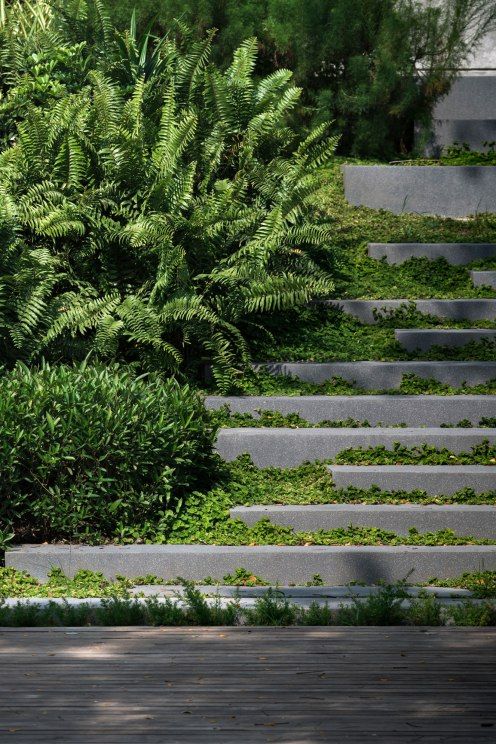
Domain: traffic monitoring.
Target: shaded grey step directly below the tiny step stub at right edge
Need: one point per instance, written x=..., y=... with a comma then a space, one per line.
x=367, y=310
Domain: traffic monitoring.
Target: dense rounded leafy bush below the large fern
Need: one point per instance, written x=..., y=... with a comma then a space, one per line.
x=95, y=453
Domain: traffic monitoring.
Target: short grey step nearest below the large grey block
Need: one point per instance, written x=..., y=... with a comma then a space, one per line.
x=454, y=253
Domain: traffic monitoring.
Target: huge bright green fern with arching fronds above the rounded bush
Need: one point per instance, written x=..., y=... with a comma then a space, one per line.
x=149, y=219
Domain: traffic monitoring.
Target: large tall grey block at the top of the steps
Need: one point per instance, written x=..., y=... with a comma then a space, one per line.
x=456, y=191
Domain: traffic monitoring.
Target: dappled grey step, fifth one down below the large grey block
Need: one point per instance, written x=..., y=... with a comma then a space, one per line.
x=385, y=375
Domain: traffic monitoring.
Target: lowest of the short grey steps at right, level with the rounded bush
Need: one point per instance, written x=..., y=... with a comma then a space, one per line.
x=434, y=479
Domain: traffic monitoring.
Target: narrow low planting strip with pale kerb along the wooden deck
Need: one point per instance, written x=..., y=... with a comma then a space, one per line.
x=393, y=604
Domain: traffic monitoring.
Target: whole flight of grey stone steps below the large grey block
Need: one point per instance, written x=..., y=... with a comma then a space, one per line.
x=410, y=420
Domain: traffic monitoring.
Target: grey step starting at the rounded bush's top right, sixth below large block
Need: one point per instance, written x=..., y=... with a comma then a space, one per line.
x=415, y=410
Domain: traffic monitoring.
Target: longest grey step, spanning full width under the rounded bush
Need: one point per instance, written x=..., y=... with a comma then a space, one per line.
x=277, y=564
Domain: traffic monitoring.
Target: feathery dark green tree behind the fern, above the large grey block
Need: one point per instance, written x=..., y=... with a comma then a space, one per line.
x=374, y=66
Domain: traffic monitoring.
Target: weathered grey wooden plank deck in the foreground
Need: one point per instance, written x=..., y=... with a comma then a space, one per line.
x=242, y=685
